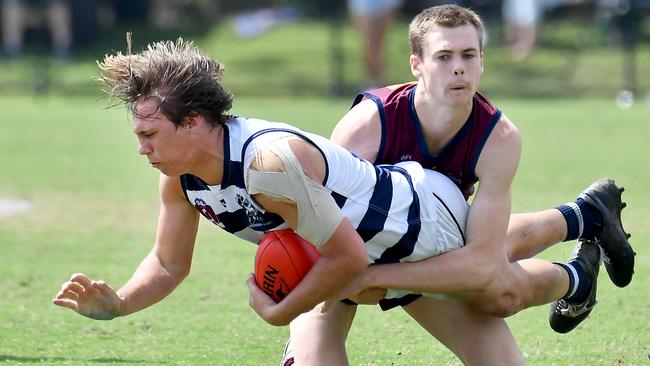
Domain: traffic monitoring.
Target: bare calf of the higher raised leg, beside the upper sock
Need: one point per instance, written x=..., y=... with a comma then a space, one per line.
x=530, y=233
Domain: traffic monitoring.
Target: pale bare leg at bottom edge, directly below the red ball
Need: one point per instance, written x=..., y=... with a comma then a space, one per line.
x=319, y=338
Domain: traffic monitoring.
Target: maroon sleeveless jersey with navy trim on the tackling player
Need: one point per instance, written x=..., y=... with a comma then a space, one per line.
x=402, y=138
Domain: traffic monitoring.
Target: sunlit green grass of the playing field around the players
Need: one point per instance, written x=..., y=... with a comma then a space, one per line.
x=95, y=209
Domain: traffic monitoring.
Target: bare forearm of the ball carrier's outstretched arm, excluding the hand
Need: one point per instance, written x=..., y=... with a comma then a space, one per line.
x=150, y=283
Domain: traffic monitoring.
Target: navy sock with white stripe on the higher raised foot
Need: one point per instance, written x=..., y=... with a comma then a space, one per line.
x=583, y=220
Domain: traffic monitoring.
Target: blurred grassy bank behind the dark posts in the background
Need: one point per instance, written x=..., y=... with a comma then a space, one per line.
x=573, y=60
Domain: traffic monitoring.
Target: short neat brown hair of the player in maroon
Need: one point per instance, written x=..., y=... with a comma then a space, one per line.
x=449, y=16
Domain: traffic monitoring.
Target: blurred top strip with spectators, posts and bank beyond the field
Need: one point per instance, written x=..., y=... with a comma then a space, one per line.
x=535, y=48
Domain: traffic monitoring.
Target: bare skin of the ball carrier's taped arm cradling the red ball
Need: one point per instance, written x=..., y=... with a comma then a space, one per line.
x=342, y=254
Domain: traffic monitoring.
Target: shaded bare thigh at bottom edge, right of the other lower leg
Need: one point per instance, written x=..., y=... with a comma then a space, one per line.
x=475, y=338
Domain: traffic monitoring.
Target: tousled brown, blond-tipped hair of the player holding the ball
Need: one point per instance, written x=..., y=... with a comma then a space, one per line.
x=178, y=74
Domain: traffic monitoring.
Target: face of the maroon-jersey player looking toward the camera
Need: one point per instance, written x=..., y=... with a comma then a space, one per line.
x=451, y=64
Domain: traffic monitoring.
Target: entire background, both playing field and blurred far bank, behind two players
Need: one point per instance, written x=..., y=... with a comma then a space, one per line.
x=76, y=197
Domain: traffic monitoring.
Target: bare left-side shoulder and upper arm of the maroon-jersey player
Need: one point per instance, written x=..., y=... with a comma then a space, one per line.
x=360, y=130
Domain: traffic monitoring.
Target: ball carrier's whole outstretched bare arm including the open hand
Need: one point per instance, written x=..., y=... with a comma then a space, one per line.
x=158, y=274
